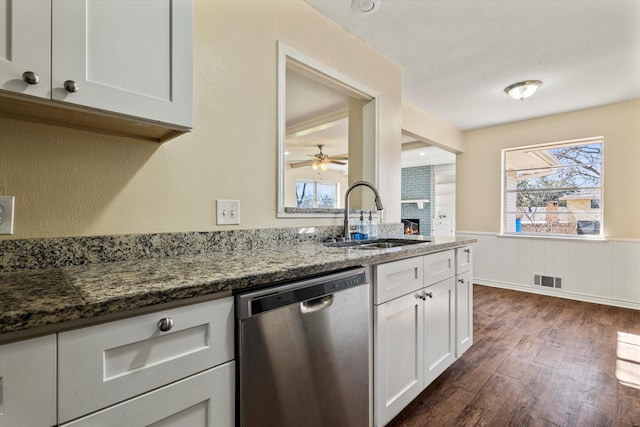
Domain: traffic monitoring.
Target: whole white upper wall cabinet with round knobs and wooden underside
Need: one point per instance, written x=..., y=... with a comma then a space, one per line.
x=108, y=65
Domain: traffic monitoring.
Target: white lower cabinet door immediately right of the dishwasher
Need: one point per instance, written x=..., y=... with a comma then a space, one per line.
x=398, y=355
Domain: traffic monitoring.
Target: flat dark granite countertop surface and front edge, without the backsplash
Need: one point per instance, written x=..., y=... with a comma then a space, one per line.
x=52, y=297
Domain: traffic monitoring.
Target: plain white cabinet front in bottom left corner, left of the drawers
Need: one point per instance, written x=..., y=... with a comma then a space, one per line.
x=28, y=383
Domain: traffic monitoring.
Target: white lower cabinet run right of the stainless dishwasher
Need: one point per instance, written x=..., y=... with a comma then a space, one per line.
x=419, y=334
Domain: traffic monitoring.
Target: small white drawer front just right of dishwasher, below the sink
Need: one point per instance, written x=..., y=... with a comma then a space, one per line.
x=397, y=278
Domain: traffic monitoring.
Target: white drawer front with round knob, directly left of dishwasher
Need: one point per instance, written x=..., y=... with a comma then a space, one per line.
x=109, y=363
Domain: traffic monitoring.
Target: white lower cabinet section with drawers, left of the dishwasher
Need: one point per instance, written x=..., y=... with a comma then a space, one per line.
x=170, y=368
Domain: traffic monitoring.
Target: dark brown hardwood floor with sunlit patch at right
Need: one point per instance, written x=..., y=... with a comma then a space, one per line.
x=538, y=361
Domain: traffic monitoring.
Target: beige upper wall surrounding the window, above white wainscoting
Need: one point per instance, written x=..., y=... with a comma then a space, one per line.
x=478, y=168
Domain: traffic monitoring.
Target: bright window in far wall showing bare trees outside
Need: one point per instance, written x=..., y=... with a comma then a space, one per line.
x=553, y=189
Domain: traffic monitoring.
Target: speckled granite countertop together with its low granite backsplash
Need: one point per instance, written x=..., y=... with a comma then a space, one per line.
x=53, y=285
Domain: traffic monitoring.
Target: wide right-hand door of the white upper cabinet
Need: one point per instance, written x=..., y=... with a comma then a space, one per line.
x=129, y=57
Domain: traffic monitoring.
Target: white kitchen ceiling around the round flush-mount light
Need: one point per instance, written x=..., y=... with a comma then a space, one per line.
x=457, y=56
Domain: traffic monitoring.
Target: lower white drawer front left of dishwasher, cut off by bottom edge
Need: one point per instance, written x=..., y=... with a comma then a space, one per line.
x=203, y=400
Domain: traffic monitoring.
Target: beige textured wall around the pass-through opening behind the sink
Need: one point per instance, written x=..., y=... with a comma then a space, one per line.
x=75, y=183
